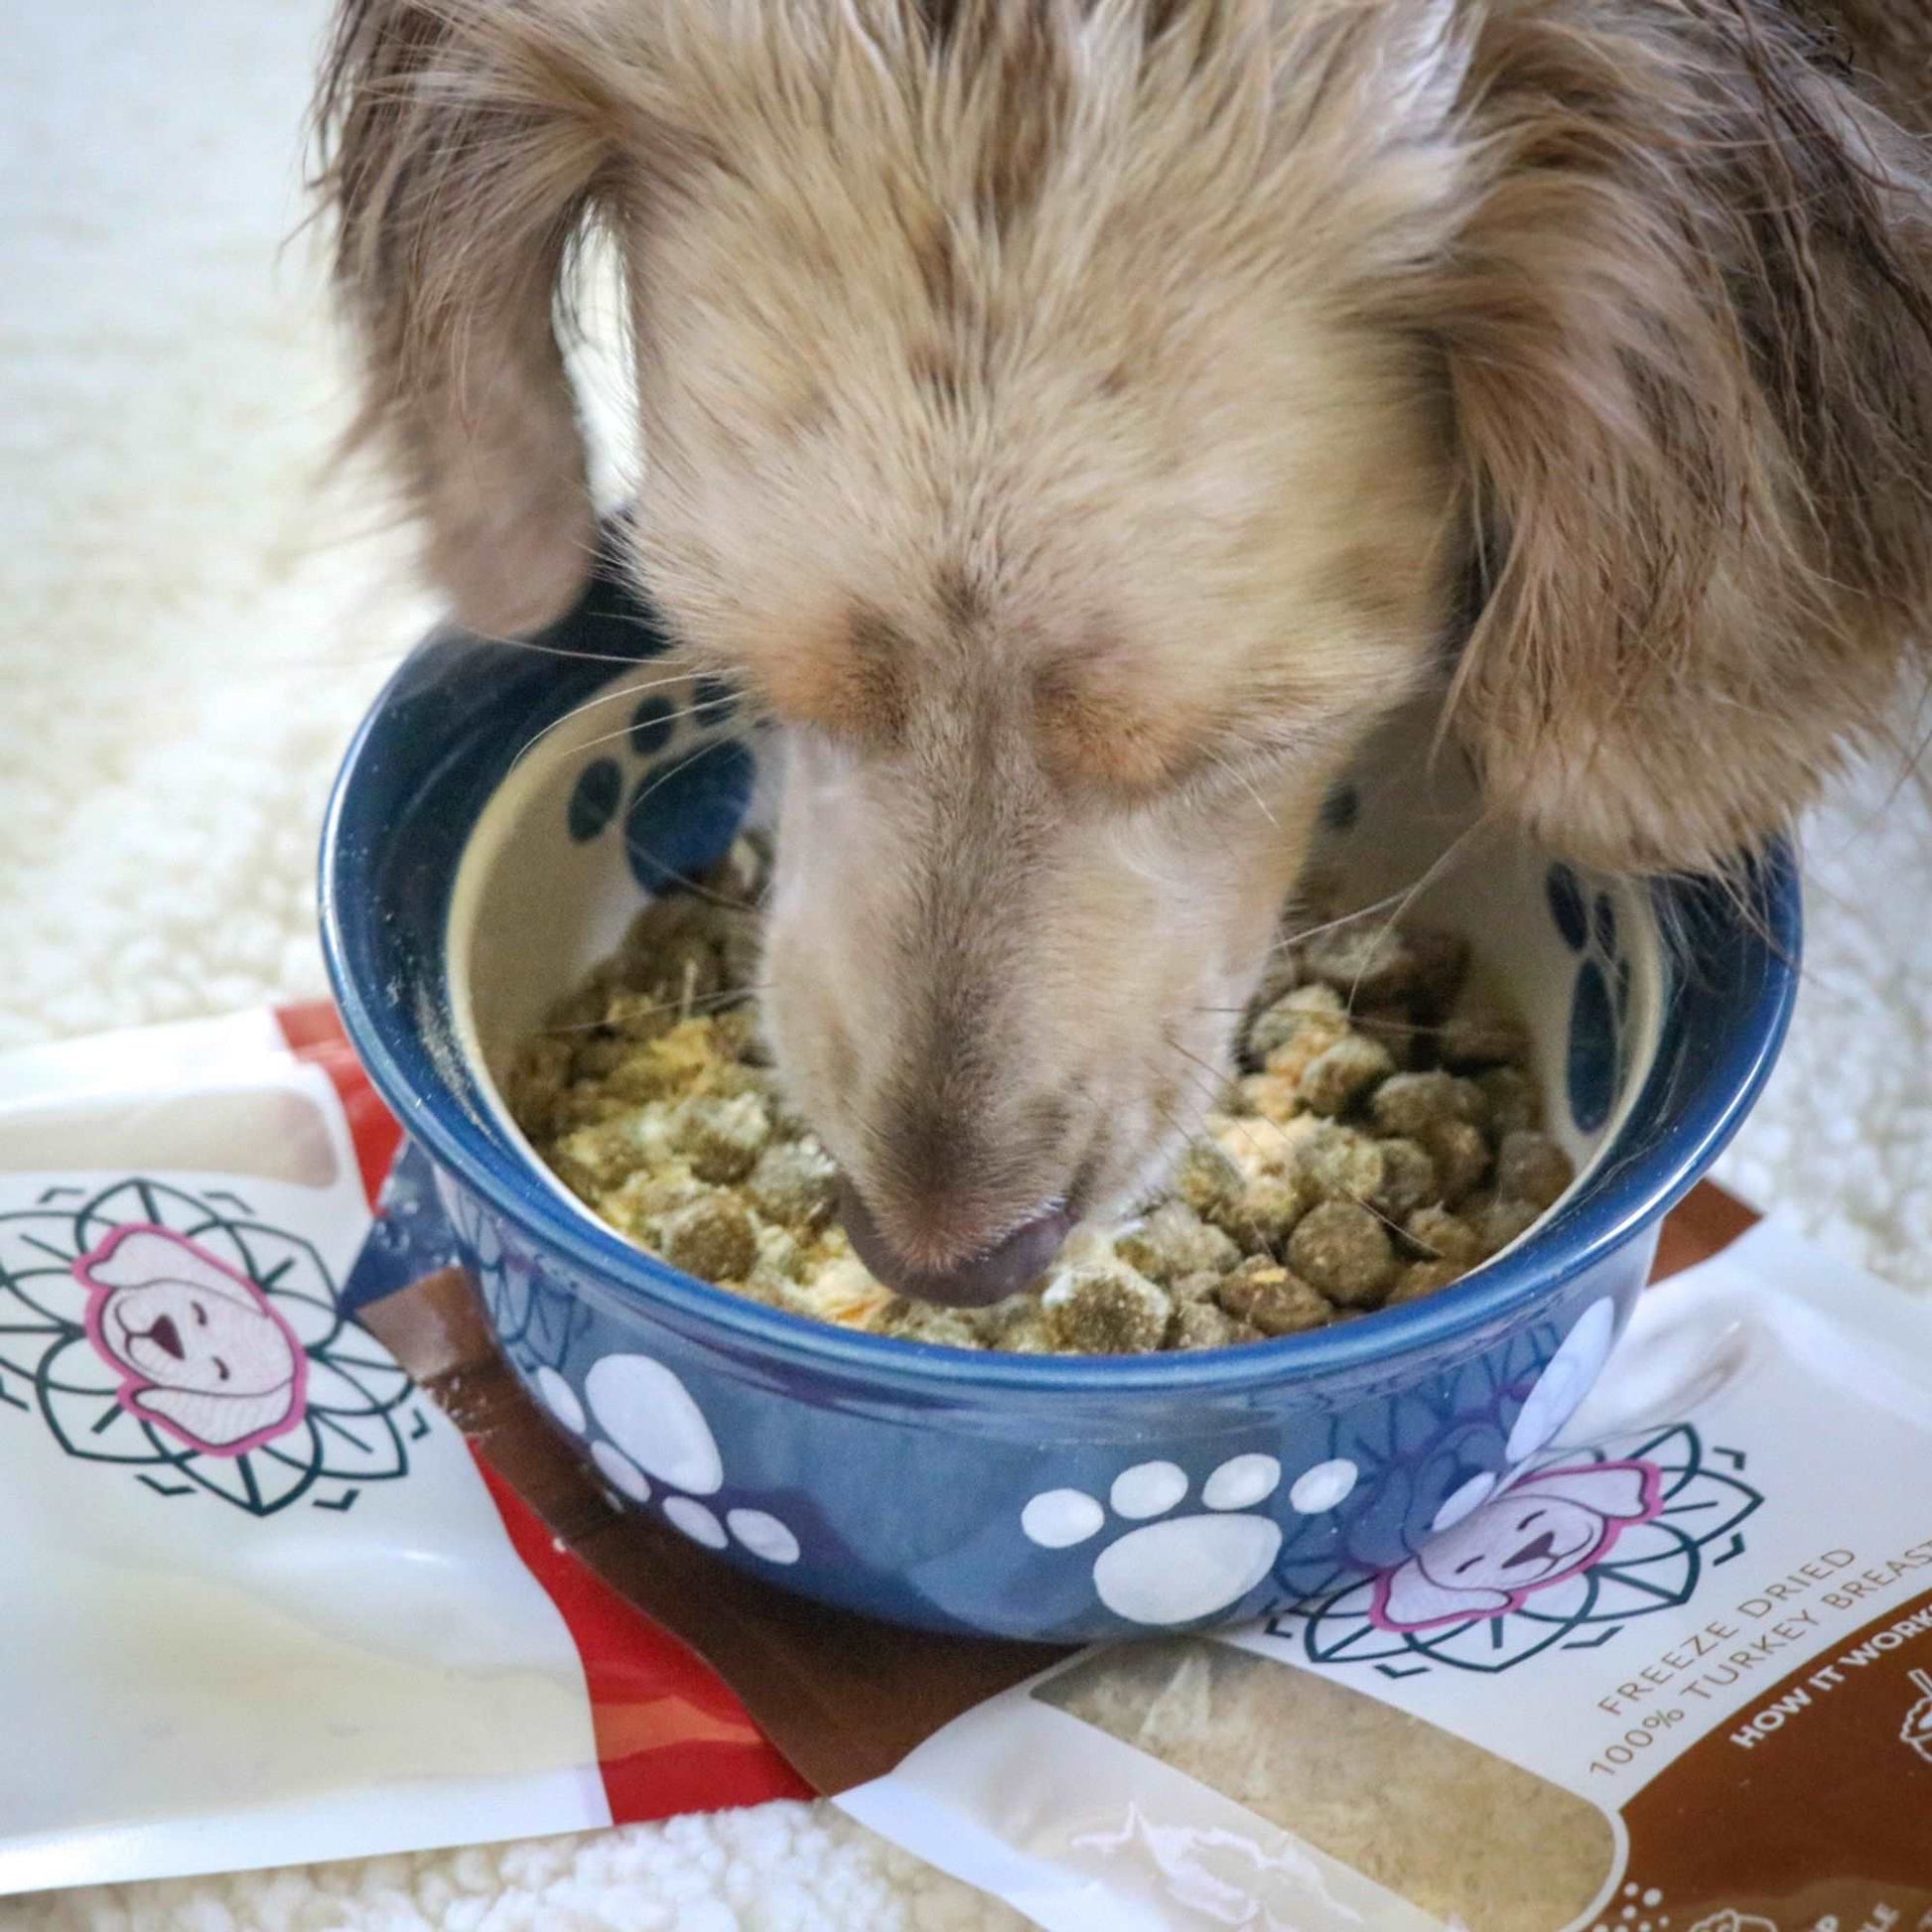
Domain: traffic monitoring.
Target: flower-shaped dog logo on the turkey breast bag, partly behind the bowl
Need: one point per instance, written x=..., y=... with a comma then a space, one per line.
x=1564, y=1556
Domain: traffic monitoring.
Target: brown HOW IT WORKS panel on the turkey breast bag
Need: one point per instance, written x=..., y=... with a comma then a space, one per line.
x=1811, y=1811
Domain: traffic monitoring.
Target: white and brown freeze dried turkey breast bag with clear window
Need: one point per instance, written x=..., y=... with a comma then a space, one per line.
x=1670, y=1676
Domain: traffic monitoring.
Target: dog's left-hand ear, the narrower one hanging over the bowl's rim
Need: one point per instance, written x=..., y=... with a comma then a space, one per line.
x=463, y=146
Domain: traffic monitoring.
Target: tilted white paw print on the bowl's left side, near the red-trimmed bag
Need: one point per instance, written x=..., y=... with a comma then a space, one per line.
x=656, y=1433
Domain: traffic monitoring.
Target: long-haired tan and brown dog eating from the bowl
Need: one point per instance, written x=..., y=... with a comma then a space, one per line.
x=1079, y=422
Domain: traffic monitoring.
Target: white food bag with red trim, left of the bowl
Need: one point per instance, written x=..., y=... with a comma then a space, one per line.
x=262, y=1601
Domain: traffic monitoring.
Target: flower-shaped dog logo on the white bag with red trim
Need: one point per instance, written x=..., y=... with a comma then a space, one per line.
x=200, y=1348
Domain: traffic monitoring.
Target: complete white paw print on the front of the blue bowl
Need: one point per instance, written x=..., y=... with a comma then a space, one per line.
x=1189, y=1566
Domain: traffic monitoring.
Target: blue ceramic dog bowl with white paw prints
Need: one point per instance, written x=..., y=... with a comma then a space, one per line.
x=494, y=832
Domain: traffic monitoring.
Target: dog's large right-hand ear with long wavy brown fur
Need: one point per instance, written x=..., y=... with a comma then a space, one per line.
x=1688, y=324
